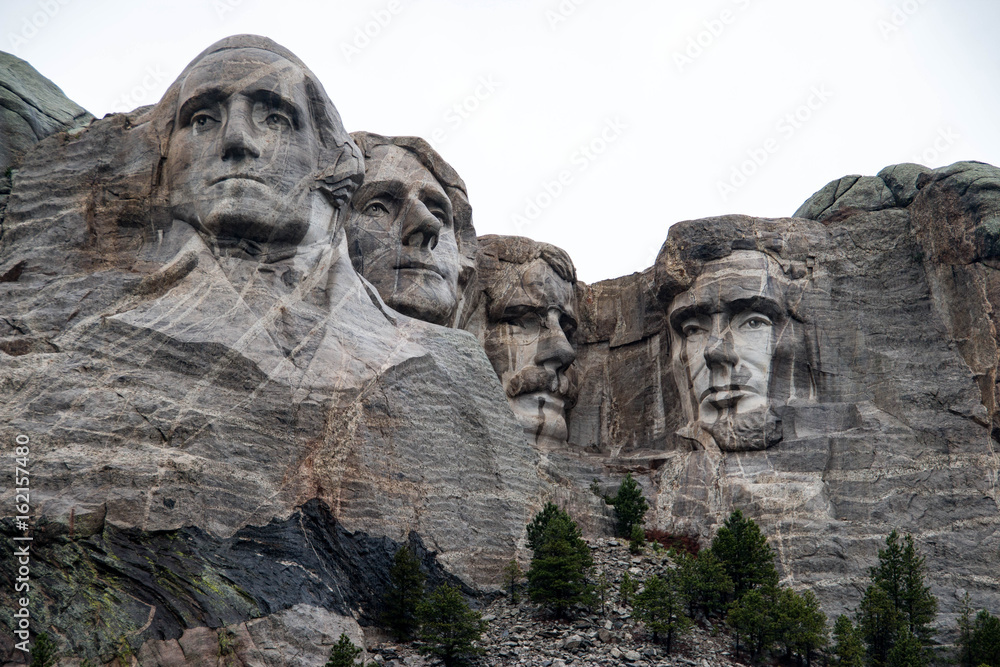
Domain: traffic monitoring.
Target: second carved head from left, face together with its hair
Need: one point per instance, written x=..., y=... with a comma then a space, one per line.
x=410, y=228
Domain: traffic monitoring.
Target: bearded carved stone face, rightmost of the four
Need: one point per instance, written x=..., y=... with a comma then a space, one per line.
x=737, y=352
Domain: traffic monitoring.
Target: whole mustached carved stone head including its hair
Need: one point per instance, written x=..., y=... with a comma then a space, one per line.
x=526, y=323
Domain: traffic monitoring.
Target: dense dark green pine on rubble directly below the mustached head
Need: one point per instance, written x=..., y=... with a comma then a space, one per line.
x=557, y=579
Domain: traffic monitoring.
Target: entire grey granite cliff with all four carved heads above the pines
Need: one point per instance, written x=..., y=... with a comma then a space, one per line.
x=231, y=432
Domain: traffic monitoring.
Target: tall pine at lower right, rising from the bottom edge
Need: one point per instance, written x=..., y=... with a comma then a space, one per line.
x=897, y=604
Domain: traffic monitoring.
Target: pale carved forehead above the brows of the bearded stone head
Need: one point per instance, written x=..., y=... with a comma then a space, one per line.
x=743, y=275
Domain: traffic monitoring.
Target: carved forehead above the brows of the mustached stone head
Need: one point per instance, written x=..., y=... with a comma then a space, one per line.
x=536, y=286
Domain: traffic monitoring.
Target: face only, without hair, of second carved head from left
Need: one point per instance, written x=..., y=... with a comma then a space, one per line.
x=401, y=235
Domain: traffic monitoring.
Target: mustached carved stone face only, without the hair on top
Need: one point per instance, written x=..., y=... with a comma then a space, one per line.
x=527, y=339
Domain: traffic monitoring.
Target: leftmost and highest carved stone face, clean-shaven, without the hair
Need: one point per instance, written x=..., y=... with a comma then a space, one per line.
x=244, y=151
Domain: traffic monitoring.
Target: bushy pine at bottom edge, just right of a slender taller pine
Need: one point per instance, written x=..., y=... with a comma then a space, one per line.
x=448, y=628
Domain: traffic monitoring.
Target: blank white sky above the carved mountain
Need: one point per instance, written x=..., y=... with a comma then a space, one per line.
x=890, y=81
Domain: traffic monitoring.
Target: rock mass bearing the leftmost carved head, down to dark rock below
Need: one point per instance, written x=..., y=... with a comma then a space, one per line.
x=227, y=426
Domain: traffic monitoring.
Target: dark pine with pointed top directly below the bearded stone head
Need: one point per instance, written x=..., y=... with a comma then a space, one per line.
x=745, y=556
